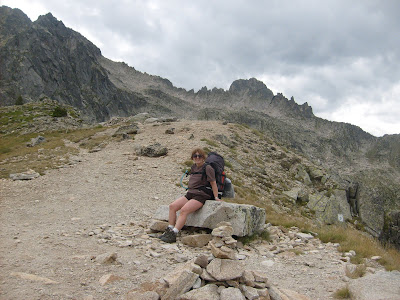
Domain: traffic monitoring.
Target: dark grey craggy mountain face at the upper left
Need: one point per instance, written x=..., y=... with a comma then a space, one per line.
x=46, y=59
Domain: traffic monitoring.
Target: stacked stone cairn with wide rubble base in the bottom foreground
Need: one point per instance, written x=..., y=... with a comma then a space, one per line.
x=220, y=276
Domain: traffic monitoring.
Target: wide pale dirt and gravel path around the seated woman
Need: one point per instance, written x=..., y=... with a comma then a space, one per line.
x=54, y=227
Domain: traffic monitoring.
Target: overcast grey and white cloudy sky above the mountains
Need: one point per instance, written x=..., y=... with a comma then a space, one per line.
x=342, y=57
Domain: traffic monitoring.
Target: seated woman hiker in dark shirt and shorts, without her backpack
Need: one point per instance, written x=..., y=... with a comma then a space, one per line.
x=196, y=195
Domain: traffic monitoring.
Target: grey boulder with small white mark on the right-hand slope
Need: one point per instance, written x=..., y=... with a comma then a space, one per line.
x=330, y=210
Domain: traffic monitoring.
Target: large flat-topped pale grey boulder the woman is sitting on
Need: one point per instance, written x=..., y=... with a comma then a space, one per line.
x=245, y=219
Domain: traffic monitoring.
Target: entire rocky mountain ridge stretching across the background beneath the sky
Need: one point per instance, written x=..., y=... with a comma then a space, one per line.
x=45, y=59
